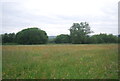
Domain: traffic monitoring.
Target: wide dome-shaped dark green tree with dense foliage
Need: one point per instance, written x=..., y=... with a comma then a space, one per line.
x=31, y=36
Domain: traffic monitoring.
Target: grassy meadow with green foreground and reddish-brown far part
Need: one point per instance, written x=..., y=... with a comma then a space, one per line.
x=95, y=61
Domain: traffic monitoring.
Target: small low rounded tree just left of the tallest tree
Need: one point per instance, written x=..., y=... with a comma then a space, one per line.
x=63, y=38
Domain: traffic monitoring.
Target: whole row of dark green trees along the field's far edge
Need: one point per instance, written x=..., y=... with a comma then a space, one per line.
x=79, y=34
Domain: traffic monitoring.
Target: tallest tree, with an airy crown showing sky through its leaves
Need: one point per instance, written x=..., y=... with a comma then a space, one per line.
x=79, y=32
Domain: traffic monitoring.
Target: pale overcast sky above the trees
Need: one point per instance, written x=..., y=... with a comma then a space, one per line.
x=57, y=16
